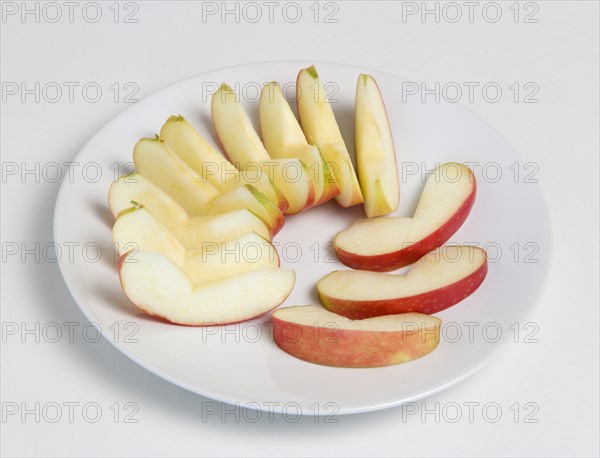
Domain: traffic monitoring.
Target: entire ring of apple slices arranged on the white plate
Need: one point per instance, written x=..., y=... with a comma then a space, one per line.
x=194, y=227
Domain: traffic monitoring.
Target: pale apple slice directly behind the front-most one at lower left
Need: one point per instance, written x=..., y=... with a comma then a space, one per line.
x=137, y=229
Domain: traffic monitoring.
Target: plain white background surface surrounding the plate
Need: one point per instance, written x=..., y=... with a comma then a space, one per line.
x=558, y=375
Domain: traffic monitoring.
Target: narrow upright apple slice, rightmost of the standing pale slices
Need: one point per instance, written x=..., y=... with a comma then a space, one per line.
x=375, y=156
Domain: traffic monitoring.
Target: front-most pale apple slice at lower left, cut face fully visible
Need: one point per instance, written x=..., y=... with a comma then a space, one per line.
x=157, y=286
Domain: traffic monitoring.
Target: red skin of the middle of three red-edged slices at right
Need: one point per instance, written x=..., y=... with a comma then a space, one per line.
x=426, y=303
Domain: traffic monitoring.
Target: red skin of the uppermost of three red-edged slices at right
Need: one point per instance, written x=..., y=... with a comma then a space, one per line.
x=391, y=261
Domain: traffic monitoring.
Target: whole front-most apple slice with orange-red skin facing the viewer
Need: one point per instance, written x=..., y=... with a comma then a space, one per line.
x=318, y=336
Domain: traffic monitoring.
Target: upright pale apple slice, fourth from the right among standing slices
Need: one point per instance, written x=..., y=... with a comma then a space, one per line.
x=243, y=147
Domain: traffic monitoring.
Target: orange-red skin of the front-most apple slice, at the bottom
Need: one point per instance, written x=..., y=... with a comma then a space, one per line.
x=353, y=348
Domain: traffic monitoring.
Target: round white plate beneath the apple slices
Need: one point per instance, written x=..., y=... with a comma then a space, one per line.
x=240, y=364
